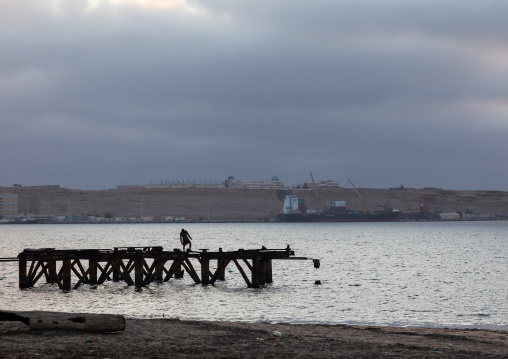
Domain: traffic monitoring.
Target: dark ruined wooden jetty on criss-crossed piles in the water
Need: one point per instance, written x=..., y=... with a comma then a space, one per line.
x=140, y=266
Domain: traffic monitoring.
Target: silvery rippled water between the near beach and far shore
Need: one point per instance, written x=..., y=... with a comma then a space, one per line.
x=437, y=274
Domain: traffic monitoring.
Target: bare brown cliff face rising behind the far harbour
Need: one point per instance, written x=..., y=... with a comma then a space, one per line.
x=238, y=205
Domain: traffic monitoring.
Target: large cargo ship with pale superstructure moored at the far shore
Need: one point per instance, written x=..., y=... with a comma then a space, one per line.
x=295, y=210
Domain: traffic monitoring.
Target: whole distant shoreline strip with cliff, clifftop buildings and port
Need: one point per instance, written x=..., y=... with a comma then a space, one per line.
x=235, y=200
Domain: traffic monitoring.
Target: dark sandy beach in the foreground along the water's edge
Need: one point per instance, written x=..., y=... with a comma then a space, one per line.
x=172, y=338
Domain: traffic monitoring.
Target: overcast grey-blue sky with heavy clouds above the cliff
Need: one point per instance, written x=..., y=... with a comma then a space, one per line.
x=100, y=93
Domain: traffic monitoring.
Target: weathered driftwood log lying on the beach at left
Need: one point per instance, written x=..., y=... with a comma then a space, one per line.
x=89, y=322
